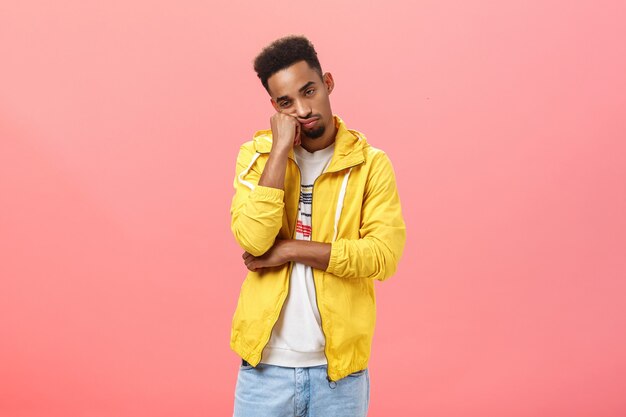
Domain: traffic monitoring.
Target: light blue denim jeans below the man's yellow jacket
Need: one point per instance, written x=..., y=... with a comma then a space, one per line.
x=276, y=391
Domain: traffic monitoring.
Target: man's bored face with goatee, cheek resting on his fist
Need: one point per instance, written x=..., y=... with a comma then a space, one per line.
x=299, y=91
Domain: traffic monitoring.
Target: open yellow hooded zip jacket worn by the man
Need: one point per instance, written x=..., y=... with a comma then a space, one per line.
x=356, y=208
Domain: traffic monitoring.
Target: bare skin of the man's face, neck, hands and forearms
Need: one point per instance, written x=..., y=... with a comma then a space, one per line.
x=303, y=117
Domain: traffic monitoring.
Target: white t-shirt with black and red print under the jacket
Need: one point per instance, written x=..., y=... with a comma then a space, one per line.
x=297, y=339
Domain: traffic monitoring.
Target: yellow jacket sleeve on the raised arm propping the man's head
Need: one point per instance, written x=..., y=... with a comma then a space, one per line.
x=256, y=211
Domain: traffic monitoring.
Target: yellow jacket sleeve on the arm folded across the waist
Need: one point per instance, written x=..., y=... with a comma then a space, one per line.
x=382, y=232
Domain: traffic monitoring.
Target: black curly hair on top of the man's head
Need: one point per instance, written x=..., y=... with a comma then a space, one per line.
x=283, y=53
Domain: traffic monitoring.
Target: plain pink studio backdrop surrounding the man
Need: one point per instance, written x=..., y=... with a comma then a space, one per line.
x=120, y=122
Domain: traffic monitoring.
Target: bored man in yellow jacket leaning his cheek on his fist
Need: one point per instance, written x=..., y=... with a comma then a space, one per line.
x=317, y=212
